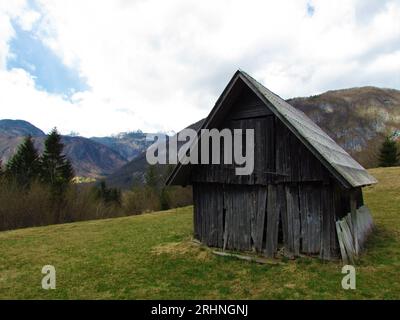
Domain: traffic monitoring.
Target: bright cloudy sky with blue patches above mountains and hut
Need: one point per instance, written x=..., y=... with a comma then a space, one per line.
x=103, y=67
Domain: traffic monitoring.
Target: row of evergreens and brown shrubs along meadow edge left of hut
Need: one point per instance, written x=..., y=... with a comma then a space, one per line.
x=39, y=189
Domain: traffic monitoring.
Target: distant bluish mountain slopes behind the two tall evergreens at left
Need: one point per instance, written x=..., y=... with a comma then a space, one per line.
x=89, y=158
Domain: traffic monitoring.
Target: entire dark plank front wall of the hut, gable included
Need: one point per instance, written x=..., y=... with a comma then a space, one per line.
x=290, y=190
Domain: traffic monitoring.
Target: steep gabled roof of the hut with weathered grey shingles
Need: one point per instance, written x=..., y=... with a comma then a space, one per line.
x=342, y=166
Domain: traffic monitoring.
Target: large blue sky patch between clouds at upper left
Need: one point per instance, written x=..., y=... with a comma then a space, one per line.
x=51, y=75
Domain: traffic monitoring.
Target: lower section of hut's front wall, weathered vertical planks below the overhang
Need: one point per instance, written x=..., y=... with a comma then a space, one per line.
x=248, y=217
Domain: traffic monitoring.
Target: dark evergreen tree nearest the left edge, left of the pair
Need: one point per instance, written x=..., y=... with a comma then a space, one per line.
x=24, y=166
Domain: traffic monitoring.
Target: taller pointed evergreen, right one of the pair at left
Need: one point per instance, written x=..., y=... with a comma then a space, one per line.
x=56, y=169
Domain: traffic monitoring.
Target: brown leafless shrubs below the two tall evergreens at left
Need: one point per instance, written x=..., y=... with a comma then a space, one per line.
x=20, y=208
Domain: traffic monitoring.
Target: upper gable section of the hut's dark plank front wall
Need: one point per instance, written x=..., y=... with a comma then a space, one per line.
x=279, y=156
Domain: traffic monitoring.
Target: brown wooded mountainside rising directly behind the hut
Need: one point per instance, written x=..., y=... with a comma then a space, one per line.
x=357, y=119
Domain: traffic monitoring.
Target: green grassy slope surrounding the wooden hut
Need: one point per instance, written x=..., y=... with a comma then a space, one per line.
x=151, y=256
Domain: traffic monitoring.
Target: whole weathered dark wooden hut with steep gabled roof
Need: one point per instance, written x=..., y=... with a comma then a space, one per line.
x=303, y=183
